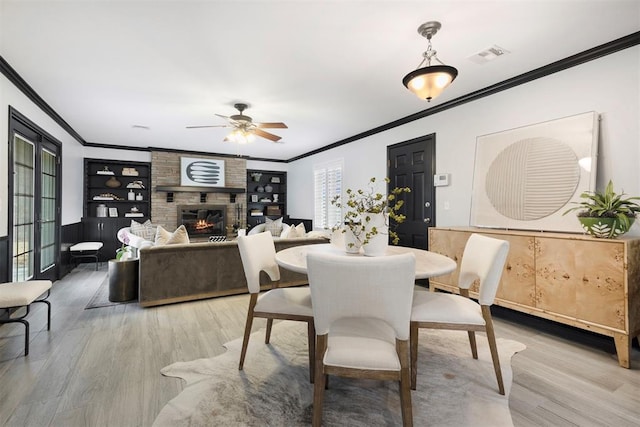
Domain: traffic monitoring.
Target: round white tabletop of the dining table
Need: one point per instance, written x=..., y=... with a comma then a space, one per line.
x=428, y=264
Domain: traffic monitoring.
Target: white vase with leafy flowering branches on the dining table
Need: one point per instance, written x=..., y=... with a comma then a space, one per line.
x=368, y=215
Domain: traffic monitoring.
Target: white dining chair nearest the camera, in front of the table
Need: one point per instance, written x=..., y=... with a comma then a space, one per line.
x=362, y=307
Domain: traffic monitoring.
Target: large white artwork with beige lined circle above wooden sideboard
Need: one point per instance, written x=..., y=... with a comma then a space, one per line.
x=526, y=178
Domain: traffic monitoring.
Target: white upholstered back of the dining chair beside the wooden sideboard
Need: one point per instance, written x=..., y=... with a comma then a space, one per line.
x=483, y=259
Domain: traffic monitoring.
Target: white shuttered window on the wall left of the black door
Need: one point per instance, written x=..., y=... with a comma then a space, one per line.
x=327, y=178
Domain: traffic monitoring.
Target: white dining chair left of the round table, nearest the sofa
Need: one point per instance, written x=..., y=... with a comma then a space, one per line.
x=258, y=254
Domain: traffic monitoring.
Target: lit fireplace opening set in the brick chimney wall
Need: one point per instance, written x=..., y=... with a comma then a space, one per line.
x=203, y=219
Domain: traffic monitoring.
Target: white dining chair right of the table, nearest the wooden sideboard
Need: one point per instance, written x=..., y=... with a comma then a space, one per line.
x=483, y=260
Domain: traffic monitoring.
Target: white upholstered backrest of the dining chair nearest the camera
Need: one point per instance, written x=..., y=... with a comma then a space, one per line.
x=362, y=287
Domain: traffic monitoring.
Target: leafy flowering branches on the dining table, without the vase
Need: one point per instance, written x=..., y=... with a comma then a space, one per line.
x=363, y=204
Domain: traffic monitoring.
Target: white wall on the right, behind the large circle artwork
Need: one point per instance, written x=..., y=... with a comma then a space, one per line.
x=609, y=86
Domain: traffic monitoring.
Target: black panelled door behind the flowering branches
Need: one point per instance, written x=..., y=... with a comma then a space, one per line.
x=412, y=164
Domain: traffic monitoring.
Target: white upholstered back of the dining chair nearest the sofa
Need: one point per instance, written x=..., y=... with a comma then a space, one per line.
x=258, y=253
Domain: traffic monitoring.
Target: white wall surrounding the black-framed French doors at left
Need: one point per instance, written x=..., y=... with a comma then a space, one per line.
x=72, y=154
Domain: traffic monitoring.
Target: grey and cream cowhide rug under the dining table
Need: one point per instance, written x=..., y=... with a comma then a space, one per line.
x=274, y=389
